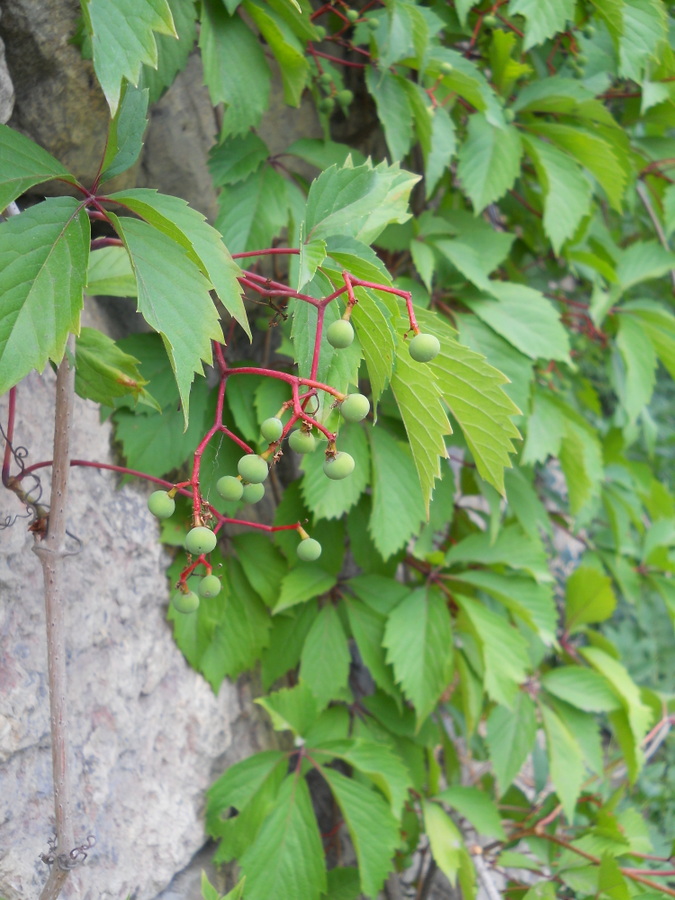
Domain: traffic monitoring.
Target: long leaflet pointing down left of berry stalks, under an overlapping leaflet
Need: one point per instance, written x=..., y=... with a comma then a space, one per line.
x=172, y=291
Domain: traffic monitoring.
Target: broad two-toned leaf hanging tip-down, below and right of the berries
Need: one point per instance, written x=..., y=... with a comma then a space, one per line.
x=418, y=638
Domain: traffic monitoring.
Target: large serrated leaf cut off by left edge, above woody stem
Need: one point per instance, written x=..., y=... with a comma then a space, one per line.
x=43, y=269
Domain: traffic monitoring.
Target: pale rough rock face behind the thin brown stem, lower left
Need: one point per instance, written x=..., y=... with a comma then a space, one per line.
x=147, y=733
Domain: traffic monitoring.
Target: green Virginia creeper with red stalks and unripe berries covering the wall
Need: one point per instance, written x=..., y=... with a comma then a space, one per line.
x=460, y=419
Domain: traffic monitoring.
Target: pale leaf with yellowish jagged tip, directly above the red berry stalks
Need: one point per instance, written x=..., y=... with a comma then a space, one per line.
x=358, y=201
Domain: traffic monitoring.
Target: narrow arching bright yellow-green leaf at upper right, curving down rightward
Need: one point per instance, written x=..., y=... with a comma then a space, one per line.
x=594, y=153
